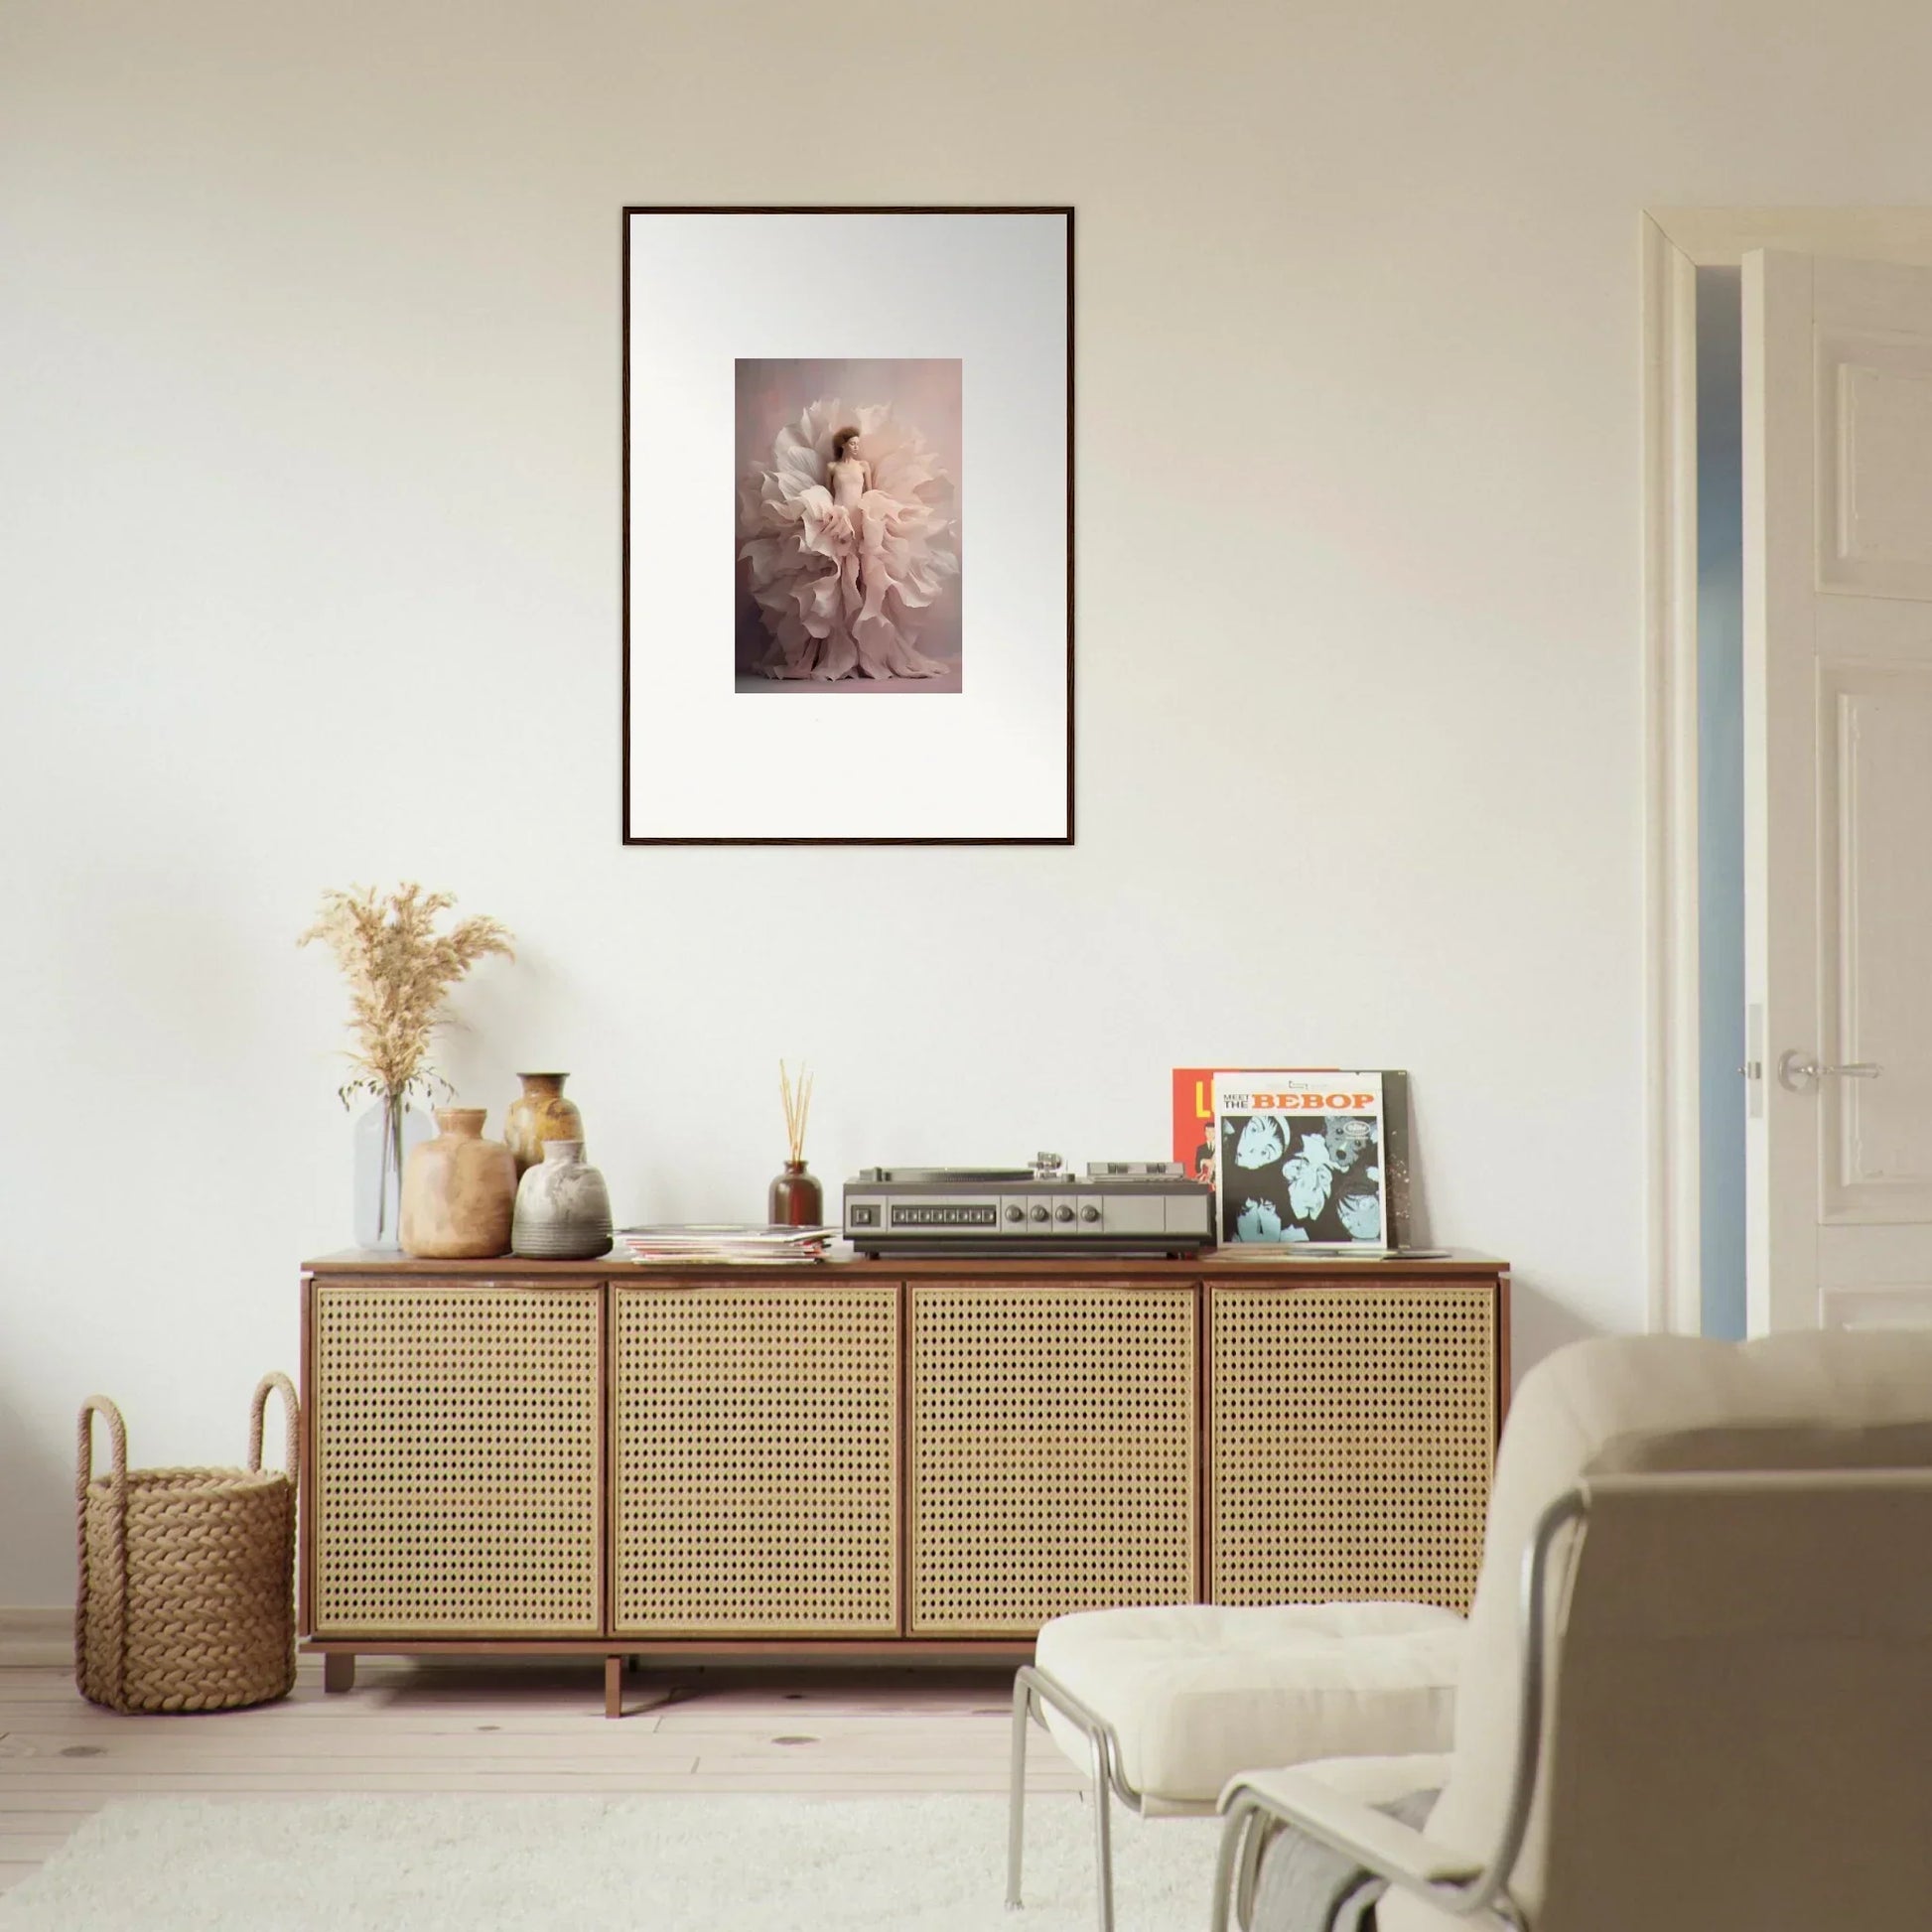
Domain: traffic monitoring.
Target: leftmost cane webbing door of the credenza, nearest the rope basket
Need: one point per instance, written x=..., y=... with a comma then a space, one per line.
x=457, y=1460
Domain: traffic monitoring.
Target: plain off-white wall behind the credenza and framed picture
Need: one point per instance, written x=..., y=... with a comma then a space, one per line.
x=310, y=440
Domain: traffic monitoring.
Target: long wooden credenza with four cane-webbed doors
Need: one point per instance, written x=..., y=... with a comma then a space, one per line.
x=878, y=1458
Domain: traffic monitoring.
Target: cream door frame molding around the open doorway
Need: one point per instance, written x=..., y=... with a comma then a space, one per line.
x=1676, y=244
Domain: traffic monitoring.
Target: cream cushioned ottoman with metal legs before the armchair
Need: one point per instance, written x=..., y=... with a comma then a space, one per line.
x=1166, y=1705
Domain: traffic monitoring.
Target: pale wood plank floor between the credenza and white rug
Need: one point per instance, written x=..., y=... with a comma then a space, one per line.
x=509, y=1728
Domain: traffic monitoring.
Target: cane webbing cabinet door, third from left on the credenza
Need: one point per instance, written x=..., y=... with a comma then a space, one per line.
x=1054, y=1460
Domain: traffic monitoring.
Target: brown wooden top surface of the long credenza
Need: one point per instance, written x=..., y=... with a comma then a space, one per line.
x=1214, y=1264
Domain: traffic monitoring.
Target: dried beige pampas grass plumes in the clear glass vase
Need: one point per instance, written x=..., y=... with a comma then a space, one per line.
x=399, y=969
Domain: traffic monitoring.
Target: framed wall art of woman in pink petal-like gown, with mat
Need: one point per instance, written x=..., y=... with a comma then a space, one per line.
x=849, y=526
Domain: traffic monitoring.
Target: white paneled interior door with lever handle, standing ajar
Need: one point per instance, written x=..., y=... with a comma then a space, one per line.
x=1838, y=789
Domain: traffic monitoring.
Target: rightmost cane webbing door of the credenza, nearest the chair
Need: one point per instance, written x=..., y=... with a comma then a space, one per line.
x=1351, y=1436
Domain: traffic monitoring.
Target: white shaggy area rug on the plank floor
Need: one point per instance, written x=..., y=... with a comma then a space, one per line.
x=584, y=1865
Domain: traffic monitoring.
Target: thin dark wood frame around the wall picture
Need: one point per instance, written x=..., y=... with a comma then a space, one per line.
x=650, y=839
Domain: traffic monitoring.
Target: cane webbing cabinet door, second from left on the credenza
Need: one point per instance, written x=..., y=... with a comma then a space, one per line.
x=756, y=1460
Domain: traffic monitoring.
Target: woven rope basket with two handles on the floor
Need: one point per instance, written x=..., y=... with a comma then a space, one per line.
x=186, y=1581
